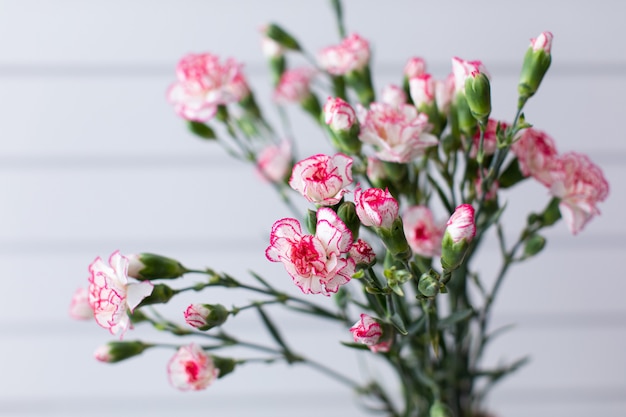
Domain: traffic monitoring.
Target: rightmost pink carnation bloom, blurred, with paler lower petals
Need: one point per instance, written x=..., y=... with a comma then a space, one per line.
x=580, y=185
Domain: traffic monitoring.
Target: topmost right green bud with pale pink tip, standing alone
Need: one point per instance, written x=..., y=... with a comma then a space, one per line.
x=536, y=63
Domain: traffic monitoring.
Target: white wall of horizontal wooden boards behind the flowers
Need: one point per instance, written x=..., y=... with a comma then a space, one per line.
x=93, y=159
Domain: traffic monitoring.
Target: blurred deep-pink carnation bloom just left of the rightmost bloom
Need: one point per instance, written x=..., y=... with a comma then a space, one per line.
x=536, y=154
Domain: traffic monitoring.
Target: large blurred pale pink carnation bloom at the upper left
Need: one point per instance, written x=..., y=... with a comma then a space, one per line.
x=203, y=84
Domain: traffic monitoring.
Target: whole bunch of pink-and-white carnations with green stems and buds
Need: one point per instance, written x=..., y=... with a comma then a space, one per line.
x=404, y=284
